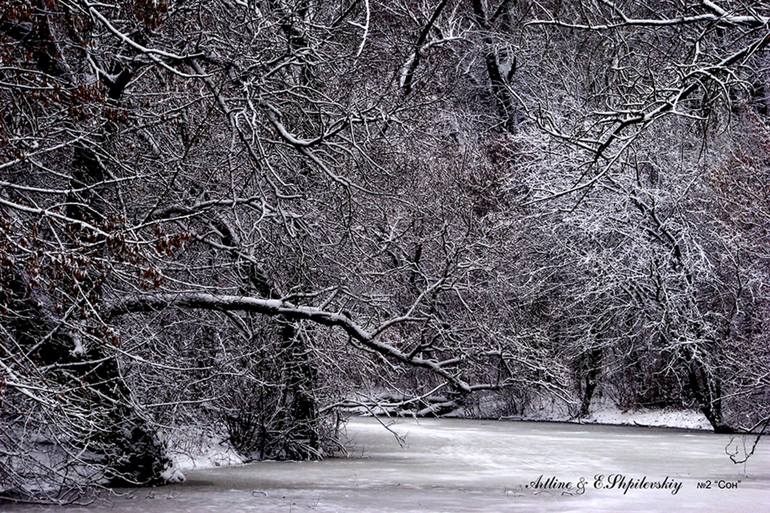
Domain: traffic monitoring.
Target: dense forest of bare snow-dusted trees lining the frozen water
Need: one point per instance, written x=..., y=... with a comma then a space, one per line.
x=252, y=217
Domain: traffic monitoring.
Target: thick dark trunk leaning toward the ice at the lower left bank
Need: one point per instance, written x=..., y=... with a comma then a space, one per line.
x=120, y=438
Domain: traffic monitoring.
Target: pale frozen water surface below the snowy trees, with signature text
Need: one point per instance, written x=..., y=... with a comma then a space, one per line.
x=480, y=466
